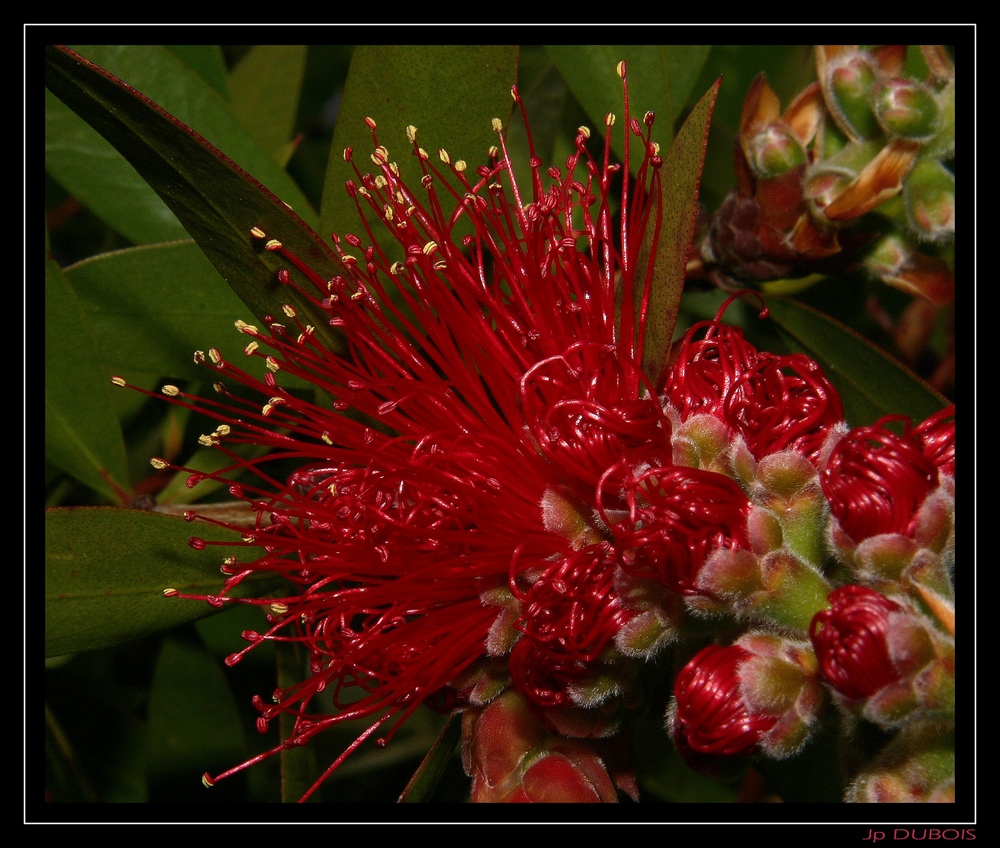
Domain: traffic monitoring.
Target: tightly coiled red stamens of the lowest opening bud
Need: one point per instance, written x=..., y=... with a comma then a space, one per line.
x=710, y=715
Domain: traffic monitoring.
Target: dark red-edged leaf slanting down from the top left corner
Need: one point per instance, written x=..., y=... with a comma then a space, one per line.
x=217, y=201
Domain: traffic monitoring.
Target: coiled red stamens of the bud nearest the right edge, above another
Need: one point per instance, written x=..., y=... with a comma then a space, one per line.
x=876, y=479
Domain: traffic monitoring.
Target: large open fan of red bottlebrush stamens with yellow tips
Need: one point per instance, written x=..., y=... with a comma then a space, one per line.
x=480, y=378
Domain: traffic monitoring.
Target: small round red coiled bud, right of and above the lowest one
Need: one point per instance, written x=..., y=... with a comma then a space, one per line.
x=850, y=641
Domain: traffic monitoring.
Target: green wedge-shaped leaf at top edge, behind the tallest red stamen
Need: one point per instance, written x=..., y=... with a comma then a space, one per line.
x=660, y=77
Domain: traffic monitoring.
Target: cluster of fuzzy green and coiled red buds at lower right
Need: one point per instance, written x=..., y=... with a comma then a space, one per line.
x=843, y=582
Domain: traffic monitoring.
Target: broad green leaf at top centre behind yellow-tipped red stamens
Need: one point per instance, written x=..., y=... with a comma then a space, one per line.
x=426, y=86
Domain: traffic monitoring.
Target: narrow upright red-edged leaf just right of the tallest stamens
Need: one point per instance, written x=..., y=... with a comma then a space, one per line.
x=681, y=175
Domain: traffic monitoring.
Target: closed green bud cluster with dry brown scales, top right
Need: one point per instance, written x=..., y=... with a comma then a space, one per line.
x=856, y=172
